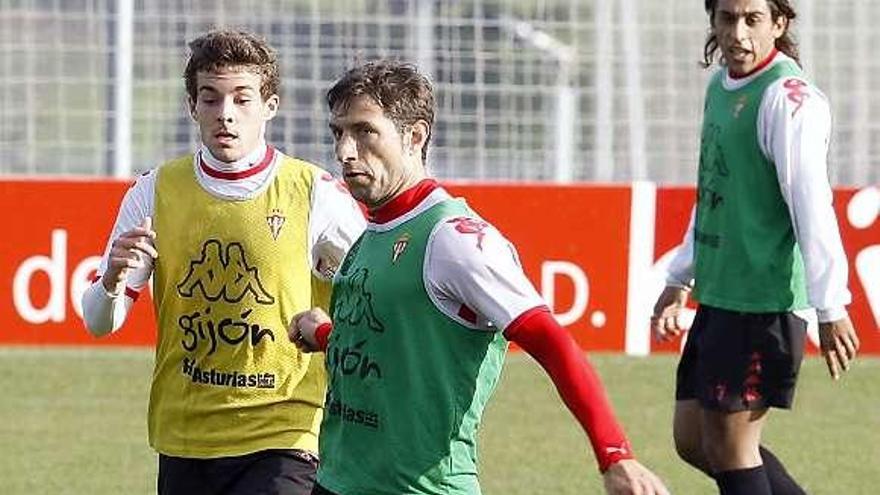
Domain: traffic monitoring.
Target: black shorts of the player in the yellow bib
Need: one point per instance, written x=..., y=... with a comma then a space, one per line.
x=268, y=472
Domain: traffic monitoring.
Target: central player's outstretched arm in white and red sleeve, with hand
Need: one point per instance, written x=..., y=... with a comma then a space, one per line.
x=473, y=276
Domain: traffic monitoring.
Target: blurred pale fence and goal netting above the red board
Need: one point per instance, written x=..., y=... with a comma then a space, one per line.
x=537, y=90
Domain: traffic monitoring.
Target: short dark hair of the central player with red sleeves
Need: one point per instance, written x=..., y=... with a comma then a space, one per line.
x=403, y=93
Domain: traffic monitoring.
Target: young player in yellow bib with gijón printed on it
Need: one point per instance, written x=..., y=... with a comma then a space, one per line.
x=238, y=238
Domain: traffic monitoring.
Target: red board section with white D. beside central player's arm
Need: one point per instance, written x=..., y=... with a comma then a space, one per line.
x=572, y=242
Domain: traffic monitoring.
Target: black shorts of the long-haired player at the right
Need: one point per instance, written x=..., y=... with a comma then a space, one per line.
x=735, y=361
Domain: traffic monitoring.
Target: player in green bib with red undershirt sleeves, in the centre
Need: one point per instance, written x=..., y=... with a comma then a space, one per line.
x=423, y=308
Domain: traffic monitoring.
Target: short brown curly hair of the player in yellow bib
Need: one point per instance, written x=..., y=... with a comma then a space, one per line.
x=223, y=48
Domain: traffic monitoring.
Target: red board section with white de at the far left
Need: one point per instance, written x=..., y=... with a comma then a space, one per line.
x=55, y=233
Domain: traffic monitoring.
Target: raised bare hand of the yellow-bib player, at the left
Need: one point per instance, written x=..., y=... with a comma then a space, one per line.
x=128, y=252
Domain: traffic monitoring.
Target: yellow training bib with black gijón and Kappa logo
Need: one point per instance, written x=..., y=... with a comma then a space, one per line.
x=229, y=278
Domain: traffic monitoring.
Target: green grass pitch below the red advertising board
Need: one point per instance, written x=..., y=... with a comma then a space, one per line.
x=73, y=421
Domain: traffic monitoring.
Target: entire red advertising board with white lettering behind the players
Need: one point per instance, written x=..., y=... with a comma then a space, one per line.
x=581, y=246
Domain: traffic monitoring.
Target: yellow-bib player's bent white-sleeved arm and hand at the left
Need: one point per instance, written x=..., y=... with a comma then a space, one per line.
x=127, y=262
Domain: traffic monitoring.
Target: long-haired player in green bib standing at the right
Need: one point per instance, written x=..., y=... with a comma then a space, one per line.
x=762, y=247
